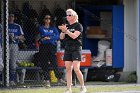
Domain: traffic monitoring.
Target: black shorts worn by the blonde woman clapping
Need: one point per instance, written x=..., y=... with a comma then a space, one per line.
x=72, y=55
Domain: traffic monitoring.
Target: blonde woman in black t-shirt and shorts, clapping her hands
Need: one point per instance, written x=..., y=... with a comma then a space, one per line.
x=72, y=35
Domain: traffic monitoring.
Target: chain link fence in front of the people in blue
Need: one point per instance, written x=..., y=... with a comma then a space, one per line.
x=28, y=59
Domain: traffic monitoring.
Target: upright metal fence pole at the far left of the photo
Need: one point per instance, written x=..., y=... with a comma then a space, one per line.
x=5, y=42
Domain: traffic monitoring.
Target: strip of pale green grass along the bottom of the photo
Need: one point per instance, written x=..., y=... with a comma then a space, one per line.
x=90, y=88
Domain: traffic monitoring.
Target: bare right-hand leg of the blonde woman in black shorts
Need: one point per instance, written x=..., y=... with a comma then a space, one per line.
x=76, y=65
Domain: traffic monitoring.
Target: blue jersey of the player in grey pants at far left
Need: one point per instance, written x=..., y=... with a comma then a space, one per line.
x=14, y=30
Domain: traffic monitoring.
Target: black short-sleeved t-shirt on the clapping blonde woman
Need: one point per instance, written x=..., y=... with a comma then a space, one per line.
x=72, y=28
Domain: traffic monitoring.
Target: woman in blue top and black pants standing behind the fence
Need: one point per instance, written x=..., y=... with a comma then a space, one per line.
x=47, y=49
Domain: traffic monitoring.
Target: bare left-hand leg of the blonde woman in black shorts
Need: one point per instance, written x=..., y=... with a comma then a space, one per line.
x=69, y=67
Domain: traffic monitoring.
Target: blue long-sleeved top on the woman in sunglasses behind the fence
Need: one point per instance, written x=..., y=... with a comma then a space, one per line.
x=51, y=32
